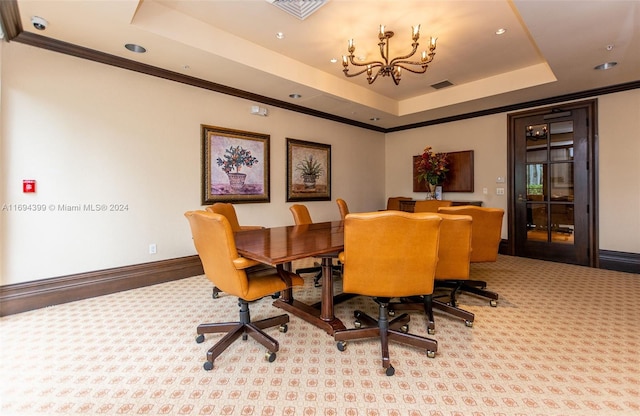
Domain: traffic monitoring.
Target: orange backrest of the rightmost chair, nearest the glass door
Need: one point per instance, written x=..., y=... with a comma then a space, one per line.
x=486, y=230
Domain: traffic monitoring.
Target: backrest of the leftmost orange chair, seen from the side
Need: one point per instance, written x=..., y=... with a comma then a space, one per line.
x=215, y=244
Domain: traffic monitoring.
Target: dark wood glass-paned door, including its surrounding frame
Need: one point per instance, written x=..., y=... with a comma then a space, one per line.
x=552, y=198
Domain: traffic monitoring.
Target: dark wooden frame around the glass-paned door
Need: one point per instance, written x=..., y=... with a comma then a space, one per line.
x=592, y=174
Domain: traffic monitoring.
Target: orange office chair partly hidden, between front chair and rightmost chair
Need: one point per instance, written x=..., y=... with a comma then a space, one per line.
x=454, y=255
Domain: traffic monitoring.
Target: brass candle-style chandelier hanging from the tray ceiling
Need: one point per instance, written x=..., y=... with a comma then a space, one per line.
x=393, y=67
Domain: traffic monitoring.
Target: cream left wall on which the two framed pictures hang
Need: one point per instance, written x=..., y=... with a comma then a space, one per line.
x=93, y=134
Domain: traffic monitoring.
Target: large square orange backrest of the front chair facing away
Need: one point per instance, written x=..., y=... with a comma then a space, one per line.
x=390, y=253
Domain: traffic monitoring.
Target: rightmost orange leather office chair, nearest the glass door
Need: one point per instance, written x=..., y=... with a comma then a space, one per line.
x=485, y=243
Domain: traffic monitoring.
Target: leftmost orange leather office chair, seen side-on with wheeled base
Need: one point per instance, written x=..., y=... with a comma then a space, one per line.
x=215, y=244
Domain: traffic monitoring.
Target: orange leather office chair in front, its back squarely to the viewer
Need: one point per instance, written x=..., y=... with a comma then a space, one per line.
x=383, y=253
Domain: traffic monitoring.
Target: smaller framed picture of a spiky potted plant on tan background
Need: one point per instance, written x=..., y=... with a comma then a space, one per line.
x=308, y=171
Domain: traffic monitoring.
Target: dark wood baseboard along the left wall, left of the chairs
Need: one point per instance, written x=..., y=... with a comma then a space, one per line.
x=22, y=297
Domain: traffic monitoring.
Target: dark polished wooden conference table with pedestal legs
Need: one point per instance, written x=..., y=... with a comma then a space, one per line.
x=279, y=246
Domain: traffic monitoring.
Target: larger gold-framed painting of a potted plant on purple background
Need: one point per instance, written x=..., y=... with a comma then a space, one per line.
x=235, y=166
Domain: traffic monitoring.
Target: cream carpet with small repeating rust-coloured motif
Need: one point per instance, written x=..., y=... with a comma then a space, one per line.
x=564, y=340
